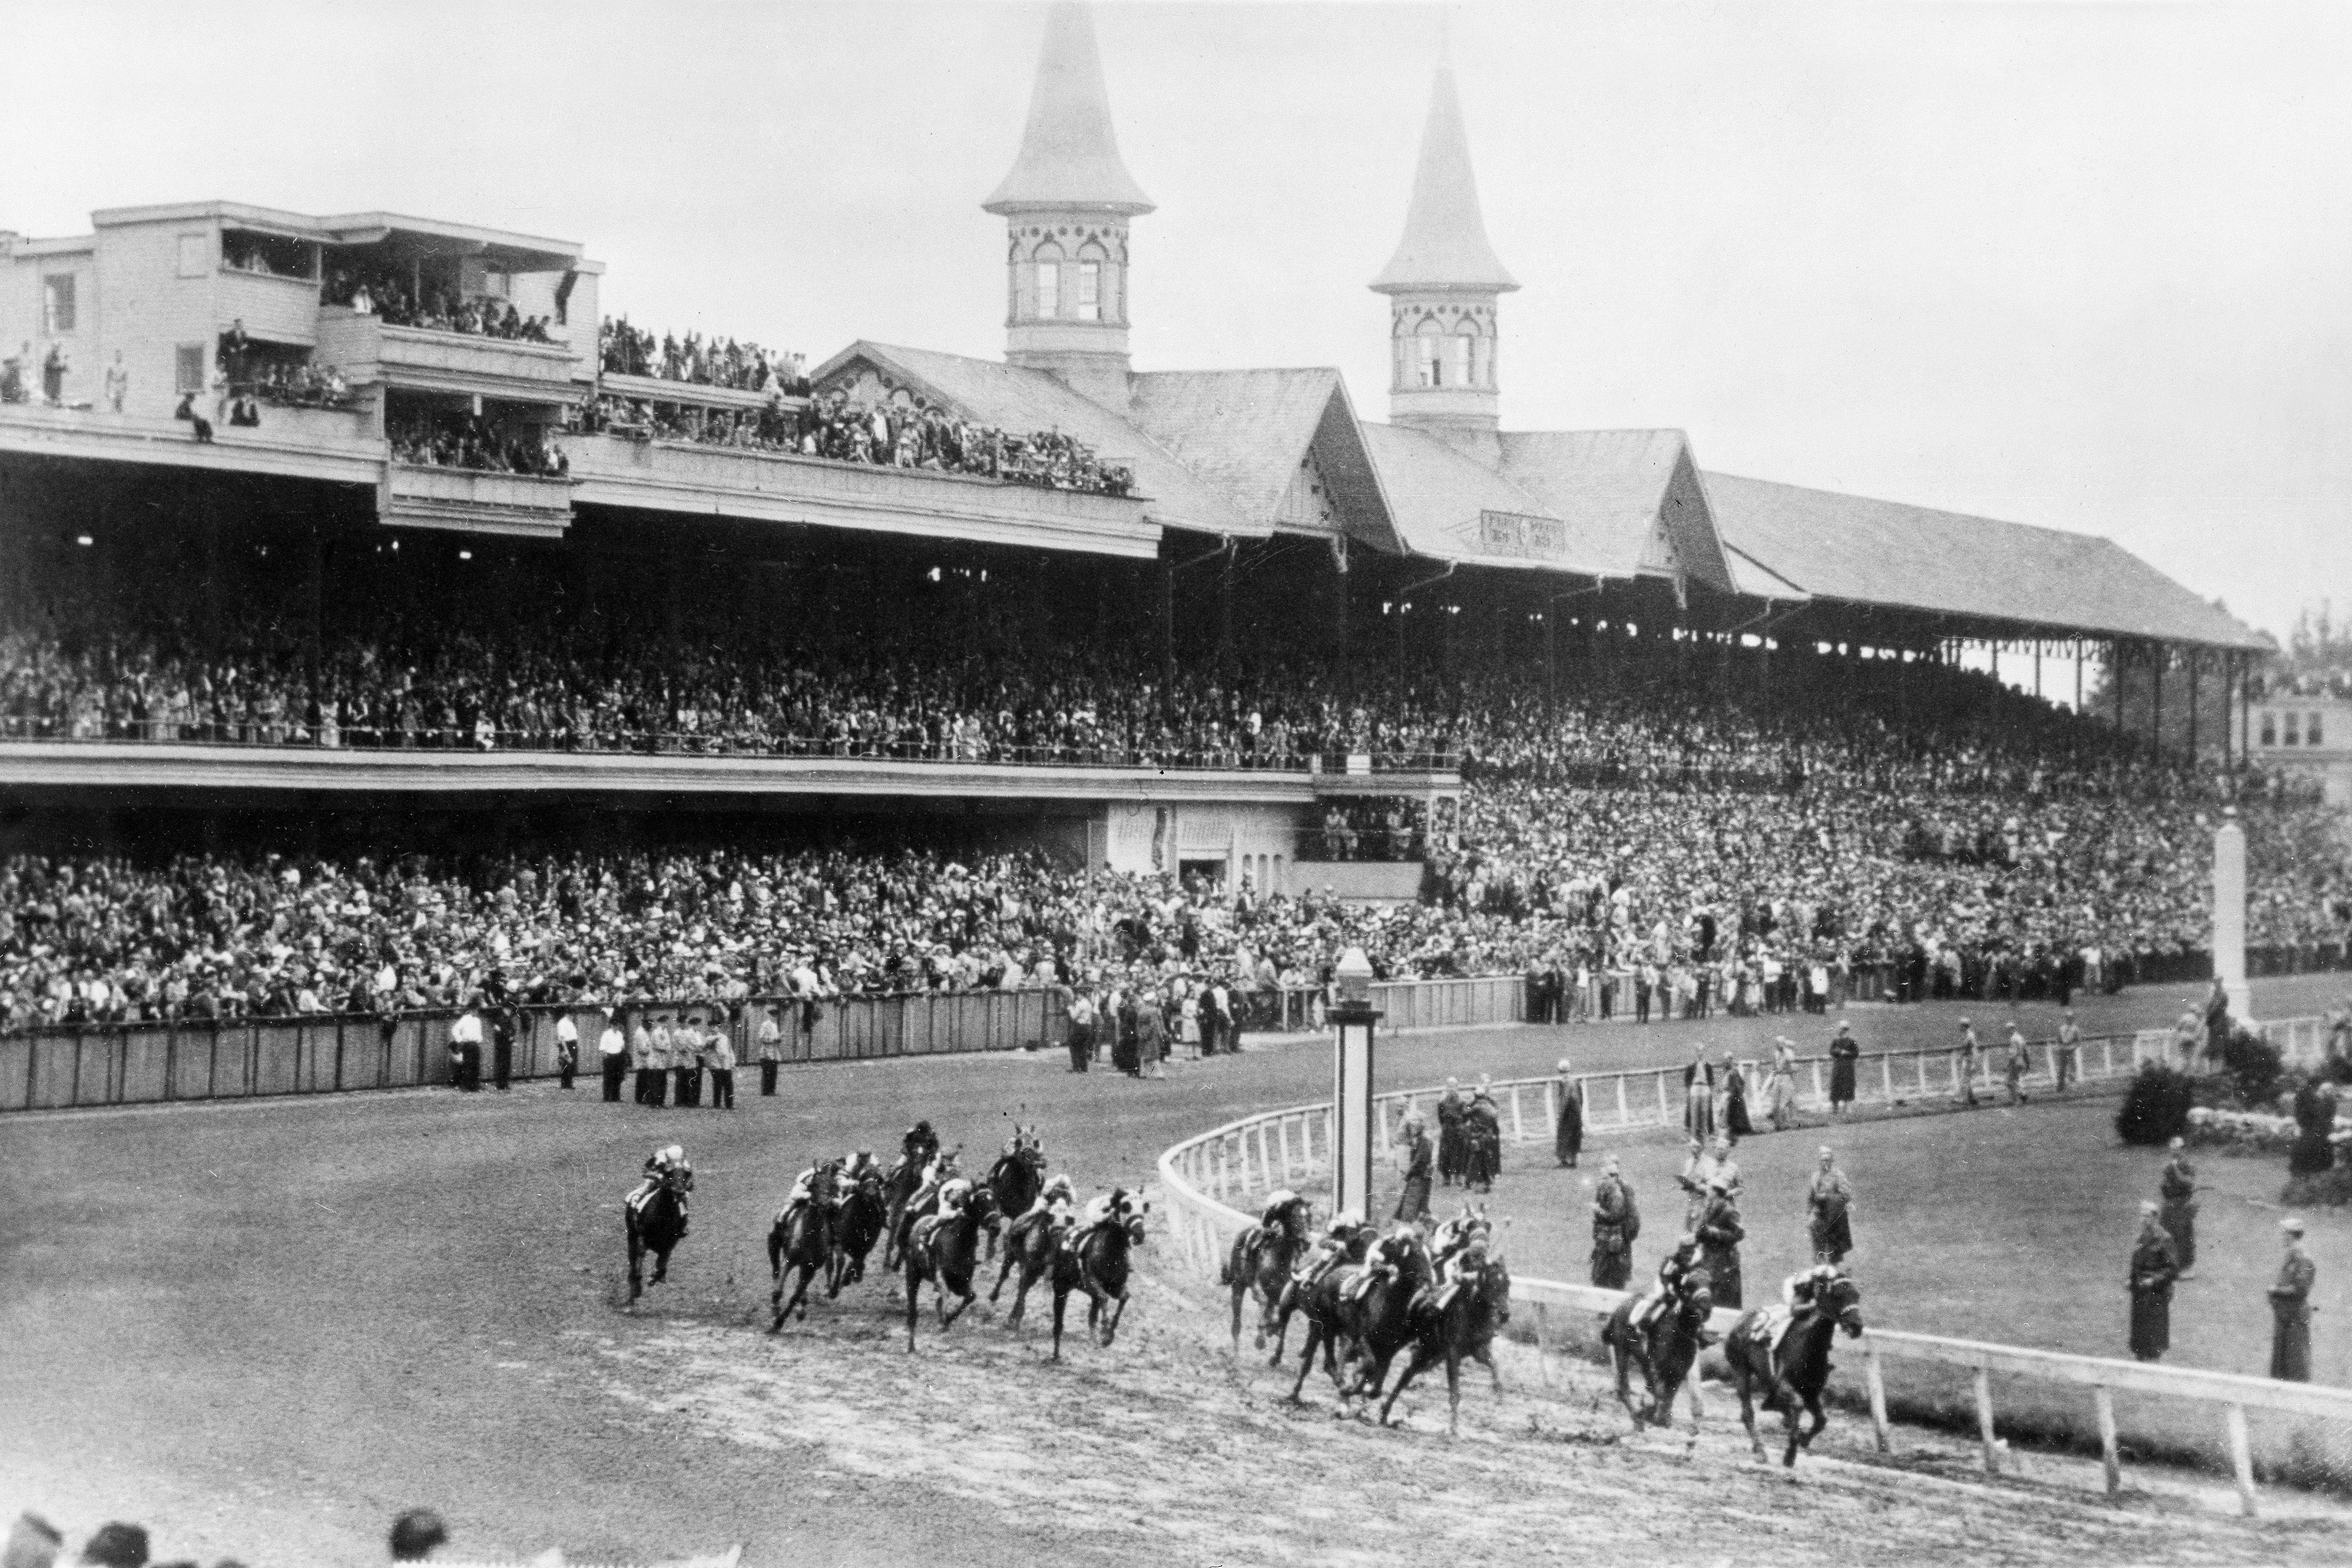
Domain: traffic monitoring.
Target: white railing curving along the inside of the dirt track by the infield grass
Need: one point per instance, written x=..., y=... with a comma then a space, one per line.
x=1238, y=1162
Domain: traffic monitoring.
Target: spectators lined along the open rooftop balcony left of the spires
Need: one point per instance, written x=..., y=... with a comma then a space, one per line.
x=888, y=436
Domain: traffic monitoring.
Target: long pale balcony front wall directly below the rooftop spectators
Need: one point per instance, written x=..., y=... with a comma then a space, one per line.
x=777, y=488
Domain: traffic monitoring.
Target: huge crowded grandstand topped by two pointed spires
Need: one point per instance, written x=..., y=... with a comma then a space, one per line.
x=363, y=537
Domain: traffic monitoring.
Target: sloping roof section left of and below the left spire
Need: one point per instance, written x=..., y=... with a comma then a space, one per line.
x=1020, y=401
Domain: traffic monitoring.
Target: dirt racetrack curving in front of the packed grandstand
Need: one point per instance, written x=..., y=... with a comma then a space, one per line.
x=267, y=1327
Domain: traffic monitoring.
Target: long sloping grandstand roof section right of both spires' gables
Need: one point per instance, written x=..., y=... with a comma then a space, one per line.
x=1977, y=570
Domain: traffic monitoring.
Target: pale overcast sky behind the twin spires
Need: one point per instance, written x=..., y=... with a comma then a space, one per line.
x=2071, y=264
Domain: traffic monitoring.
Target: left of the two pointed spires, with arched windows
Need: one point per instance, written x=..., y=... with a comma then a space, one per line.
x=1067, y=208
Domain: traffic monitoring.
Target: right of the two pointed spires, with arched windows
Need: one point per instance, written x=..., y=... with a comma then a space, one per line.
x=1443, y=288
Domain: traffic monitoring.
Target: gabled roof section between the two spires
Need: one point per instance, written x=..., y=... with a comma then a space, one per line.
x=1248, y=431
